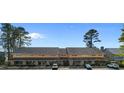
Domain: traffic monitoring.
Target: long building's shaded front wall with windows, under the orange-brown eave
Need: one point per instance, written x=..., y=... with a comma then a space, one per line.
x=49, y=61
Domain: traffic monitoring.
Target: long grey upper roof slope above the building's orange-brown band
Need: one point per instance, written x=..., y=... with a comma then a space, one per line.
x=54, y=51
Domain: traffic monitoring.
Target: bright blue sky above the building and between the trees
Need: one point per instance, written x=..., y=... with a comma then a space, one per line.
x=71, y=34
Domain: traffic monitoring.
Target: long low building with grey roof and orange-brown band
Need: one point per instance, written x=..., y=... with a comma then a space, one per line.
x=63, y=57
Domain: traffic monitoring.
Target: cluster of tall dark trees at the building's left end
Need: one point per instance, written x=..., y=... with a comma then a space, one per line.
x=14, y=37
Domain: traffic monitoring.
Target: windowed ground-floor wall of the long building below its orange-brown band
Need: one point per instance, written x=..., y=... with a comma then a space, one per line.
x=60, y=62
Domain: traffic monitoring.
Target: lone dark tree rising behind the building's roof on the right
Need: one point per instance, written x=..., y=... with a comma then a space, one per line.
x=91, y=37
